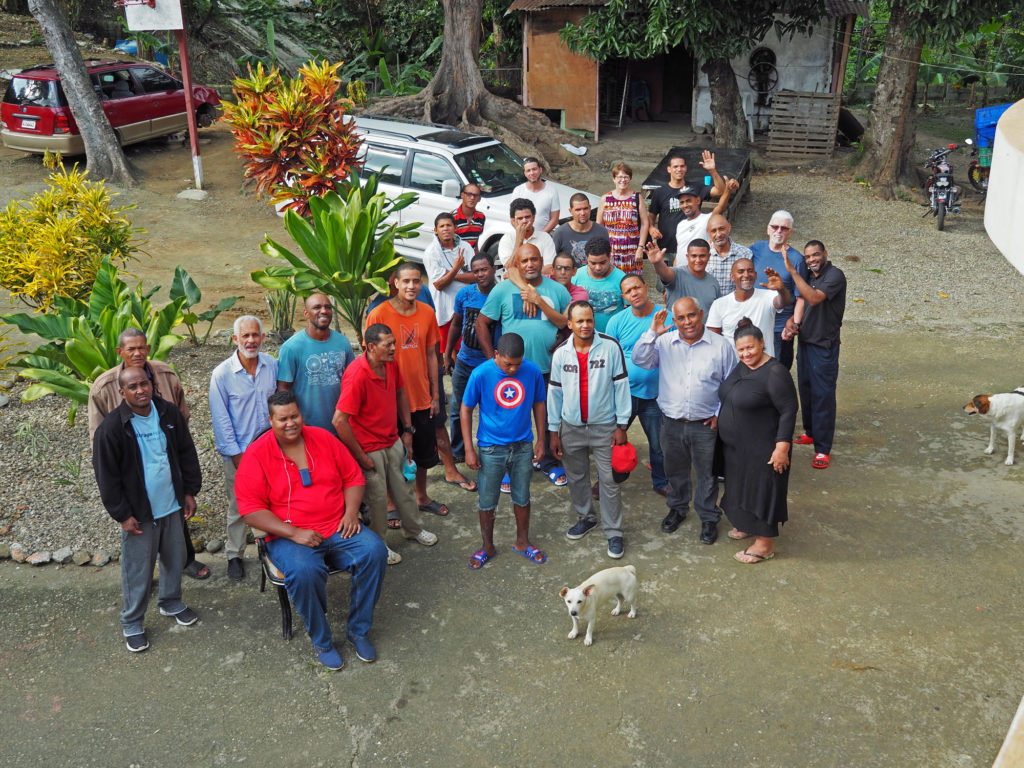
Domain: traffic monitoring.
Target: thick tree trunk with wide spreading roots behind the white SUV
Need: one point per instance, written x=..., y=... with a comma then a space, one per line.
x=457, y=95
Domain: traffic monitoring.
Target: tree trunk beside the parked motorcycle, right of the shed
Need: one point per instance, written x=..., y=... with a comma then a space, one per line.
x=890, y=135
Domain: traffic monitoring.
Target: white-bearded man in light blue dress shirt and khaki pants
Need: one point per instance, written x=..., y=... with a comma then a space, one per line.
x=239, y=389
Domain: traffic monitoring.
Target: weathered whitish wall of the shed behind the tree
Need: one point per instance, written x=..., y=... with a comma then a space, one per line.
x=804, y=64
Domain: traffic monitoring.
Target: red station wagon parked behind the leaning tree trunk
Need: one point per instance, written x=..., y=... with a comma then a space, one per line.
x=141, y=101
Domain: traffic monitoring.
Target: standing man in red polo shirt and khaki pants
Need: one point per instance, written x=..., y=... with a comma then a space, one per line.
x=373, y=402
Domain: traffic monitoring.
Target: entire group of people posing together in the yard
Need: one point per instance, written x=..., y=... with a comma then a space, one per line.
x=560, y=347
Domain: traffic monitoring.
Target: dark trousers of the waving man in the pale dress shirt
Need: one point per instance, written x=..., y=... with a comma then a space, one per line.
x=692, y=444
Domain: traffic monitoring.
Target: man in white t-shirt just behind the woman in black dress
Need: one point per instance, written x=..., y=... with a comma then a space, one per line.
x=748, y=302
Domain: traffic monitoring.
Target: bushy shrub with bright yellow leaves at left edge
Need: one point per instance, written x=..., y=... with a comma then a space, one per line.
x=53, y=244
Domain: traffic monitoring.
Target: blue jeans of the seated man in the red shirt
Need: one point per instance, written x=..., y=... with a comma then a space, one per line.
x=306, y=569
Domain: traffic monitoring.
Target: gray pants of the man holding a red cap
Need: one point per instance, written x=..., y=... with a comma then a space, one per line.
x=579, y=444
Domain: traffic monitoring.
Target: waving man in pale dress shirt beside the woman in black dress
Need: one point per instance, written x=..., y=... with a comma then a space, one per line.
x=692, y=366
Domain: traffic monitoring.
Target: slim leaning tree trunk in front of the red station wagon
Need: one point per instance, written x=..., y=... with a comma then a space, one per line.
x=104, y=155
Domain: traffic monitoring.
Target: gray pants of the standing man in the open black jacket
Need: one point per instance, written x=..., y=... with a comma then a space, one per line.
x=139, y=554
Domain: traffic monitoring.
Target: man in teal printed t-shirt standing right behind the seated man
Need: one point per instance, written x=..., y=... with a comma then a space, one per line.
x=313, y=362
